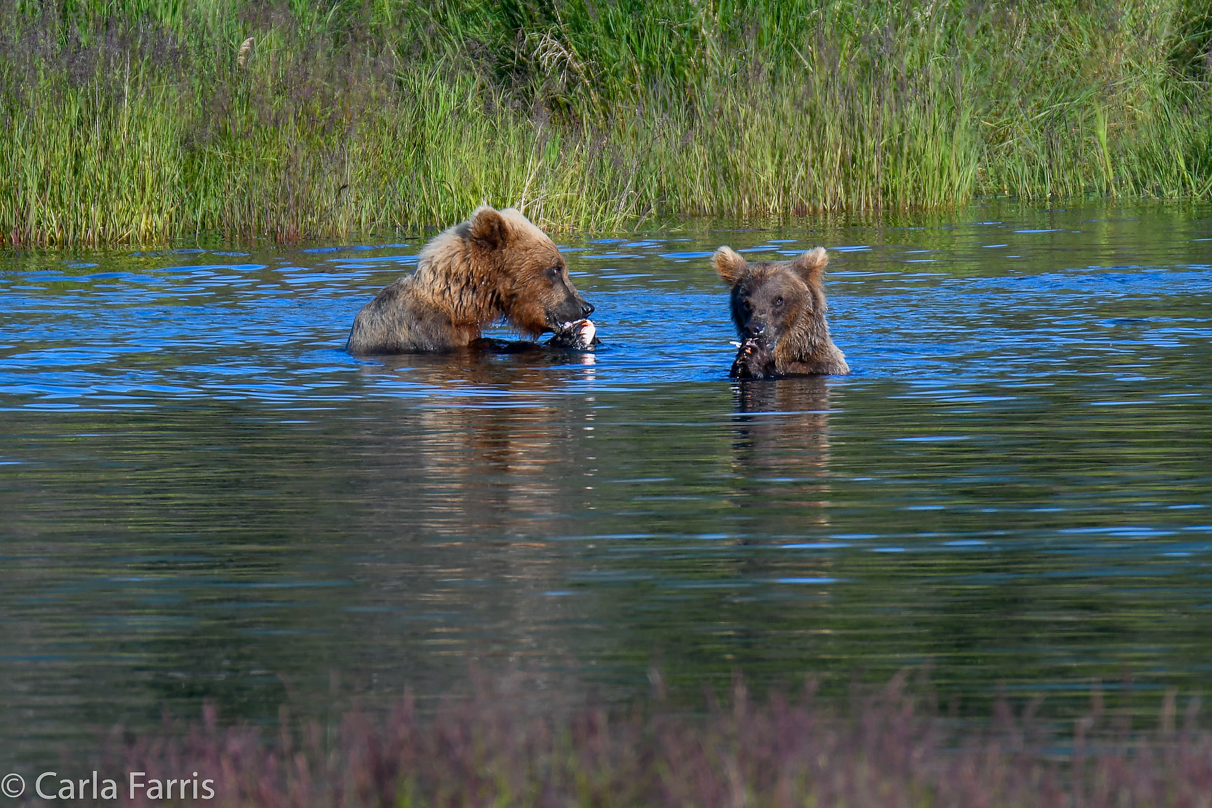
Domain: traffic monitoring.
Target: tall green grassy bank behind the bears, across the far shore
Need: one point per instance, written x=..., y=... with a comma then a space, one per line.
x=151, y=121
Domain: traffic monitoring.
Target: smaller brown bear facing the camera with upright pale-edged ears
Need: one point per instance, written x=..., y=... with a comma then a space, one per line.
x=780, y=312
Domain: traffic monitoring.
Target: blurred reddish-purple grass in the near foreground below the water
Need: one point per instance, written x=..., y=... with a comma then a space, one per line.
x=499, y=748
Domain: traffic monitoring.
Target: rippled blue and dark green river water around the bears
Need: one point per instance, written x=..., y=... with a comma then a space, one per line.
x=203, y=497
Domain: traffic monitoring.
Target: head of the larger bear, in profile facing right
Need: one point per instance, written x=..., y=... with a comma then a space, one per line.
x=533, y=286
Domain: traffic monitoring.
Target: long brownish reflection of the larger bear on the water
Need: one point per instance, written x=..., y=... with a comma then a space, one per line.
x=470, y=482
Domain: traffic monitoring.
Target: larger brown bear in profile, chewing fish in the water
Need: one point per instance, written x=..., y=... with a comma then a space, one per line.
x=496, y=267
